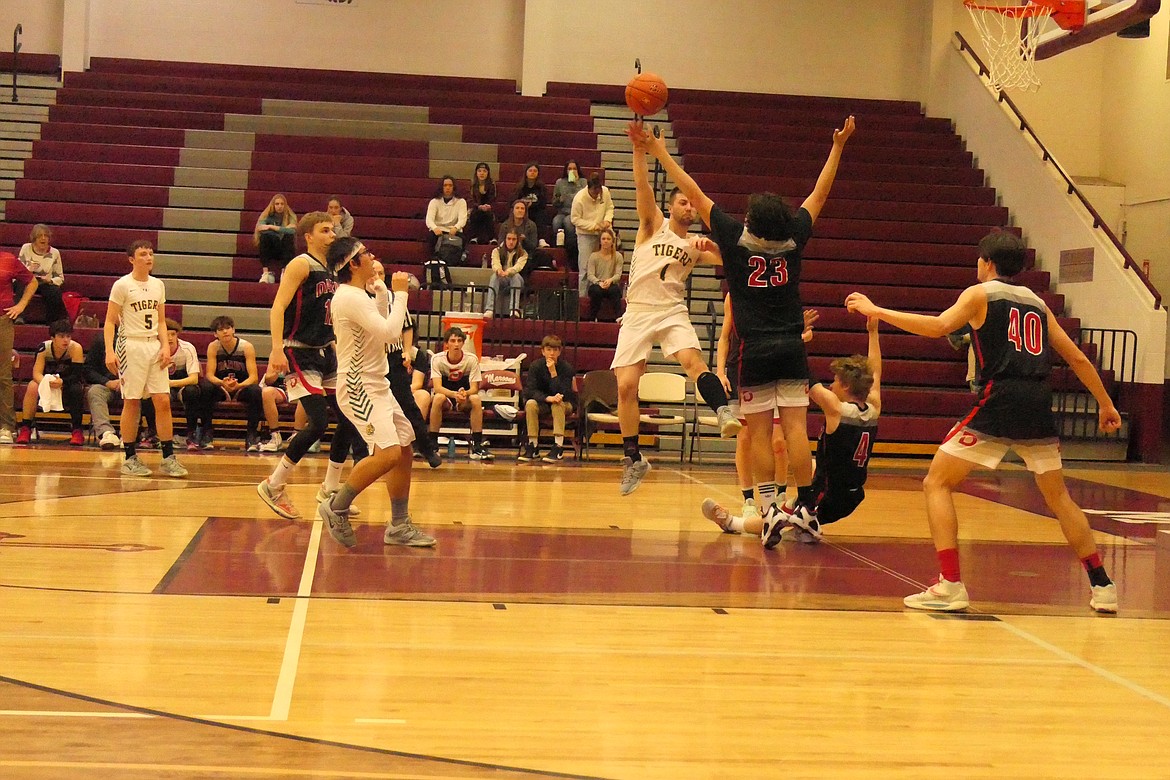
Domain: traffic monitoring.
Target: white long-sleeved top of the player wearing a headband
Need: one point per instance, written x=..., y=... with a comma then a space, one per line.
x=363, y=333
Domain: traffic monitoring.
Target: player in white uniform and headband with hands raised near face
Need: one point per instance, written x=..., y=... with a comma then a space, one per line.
x=364, y=328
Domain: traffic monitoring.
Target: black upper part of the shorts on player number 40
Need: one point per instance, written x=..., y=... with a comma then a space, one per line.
x=1020, y=410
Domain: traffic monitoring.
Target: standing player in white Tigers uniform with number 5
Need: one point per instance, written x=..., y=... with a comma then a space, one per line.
x=141, y=357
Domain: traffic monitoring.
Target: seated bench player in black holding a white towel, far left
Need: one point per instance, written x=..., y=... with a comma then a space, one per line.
x=58, y=383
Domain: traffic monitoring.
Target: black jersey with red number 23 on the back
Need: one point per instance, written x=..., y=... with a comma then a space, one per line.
x=763, y=277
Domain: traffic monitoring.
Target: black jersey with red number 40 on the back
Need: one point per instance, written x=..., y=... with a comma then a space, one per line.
x=1014, y=341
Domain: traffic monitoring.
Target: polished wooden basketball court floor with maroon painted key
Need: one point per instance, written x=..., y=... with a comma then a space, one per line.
x=156, y=629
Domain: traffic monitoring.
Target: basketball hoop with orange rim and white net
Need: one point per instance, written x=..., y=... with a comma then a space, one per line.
x=1011, y=33
